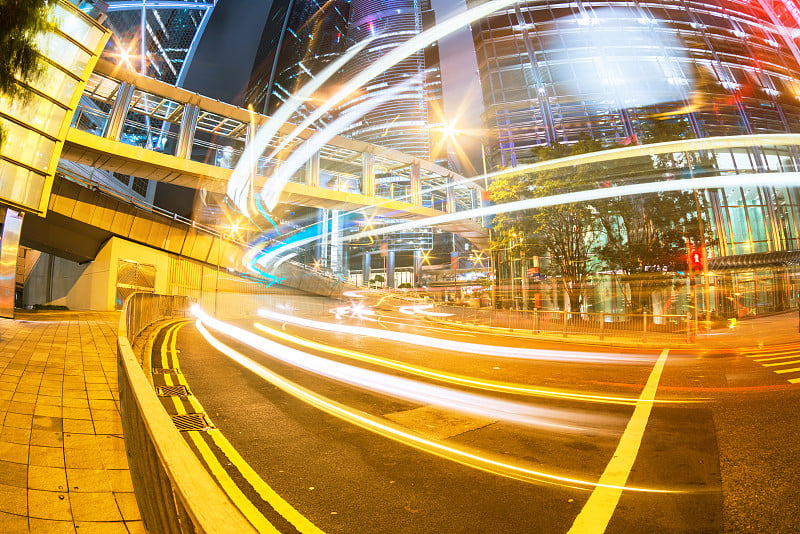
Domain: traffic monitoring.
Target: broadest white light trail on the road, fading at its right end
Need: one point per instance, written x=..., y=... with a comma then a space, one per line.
x=426, y=394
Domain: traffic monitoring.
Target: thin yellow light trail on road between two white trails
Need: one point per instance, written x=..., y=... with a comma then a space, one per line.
x=451, y=378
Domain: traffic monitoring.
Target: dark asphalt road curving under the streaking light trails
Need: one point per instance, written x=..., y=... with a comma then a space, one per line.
x=718, y=451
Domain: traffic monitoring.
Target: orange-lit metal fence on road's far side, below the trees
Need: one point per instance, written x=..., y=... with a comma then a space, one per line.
x=635, y=326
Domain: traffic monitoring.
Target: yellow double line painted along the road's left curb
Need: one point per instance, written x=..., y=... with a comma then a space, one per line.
x=169, y=359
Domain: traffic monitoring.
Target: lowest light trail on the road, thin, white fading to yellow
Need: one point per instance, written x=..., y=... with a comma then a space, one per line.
x=459, y=454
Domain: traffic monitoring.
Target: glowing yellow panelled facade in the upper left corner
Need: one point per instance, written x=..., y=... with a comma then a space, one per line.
x=35, y=129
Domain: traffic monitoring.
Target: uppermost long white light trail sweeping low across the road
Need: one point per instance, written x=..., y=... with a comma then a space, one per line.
x=460, y=346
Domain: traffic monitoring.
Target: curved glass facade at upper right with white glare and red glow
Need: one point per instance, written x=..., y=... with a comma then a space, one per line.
x=554, y=71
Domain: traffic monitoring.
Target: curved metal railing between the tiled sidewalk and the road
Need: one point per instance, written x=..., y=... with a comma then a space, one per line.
x=174, y=491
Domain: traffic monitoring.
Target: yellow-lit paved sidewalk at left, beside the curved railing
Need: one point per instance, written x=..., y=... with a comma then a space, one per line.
x=62, y=457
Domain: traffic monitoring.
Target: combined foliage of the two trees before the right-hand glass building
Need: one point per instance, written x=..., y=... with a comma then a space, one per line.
x=633, y=234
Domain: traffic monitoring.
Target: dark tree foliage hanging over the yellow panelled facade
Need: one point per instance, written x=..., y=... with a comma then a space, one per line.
x=20, y=22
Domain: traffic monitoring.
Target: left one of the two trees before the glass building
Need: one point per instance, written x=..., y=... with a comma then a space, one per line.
x=565, y=232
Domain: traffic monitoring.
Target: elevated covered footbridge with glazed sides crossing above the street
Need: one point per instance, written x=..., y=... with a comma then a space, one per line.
x=134, y=125
